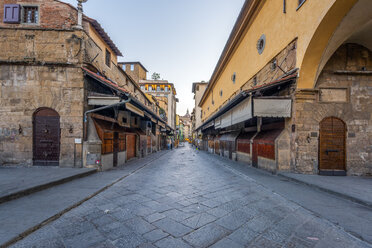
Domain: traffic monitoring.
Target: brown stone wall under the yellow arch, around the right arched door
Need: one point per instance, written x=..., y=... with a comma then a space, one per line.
x=350, y=70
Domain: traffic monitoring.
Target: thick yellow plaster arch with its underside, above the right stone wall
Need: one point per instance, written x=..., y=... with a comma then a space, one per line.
x=348, y=21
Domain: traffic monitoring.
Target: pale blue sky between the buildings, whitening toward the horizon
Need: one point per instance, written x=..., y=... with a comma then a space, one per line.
x=180, y=39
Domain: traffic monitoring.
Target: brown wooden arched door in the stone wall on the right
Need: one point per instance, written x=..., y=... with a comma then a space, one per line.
x=332, y=150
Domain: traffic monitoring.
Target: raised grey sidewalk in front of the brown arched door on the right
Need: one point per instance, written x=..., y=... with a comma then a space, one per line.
x=357, y=189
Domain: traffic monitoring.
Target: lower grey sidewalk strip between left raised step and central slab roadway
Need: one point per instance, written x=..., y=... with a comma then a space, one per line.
x=25, y=215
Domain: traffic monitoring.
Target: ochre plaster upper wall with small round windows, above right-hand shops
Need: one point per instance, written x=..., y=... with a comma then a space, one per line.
x=280, y=29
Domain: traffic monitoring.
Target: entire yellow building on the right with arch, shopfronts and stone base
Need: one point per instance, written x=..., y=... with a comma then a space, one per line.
x=301, y=44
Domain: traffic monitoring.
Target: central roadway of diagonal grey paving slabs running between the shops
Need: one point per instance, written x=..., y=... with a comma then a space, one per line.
x=185, y=199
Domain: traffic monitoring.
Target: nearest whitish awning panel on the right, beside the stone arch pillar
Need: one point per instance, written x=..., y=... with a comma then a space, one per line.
x=272, y=107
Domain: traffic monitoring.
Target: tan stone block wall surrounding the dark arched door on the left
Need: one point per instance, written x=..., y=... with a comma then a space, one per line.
x=24, y=89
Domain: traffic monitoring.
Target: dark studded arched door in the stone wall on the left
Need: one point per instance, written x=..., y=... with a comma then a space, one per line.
x=46, y=137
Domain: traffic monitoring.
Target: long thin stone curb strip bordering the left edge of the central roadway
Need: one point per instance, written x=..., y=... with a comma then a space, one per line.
x=59, y=214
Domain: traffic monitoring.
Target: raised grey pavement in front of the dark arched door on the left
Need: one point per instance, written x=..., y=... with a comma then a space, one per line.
x=19, y=181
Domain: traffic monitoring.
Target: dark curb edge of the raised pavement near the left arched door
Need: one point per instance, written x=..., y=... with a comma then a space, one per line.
x=37, y=188
